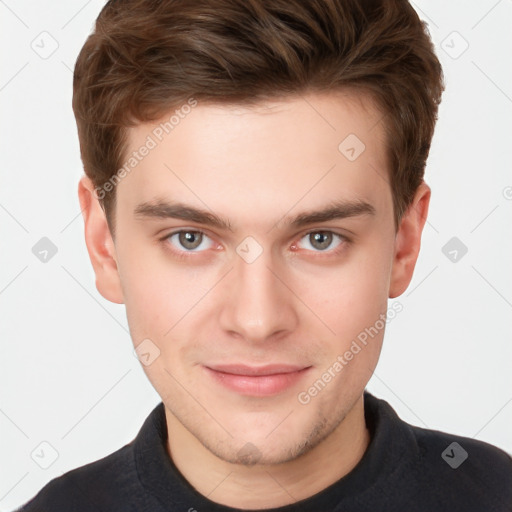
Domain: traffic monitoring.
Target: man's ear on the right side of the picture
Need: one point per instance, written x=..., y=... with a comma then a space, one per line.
x=408, y=241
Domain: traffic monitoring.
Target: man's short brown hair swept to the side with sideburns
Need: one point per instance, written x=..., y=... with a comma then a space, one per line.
x=147, y=56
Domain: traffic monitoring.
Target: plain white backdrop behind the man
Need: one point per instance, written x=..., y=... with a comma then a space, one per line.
x=68, y=374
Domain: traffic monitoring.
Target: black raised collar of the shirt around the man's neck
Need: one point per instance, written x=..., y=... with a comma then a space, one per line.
x=391, y=442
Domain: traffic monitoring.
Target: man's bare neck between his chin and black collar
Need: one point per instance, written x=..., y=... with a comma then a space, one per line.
x=269, y=486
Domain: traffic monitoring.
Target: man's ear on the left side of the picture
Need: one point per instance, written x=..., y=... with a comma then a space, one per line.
x=100, y=244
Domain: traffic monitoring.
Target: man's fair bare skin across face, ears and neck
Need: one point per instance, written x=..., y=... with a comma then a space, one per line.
x=296, y=303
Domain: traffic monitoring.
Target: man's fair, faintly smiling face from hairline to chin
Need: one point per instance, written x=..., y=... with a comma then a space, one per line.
x=254, y=247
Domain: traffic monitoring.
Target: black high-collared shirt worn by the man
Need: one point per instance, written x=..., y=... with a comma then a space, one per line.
x=405, y=468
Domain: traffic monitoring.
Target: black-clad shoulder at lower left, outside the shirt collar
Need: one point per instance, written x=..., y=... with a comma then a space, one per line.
x=94, y=486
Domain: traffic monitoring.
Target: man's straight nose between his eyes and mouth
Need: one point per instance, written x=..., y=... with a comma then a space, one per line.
x=258, y=303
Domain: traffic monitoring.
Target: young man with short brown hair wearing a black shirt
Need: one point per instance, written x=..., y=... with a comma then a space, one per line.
x=254, y=195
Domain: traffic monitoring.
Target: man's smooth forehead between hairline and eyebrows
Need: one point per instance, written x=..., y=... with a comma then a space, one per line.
x=241, y=160
